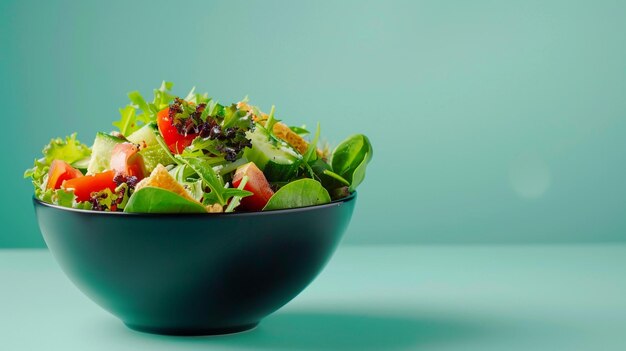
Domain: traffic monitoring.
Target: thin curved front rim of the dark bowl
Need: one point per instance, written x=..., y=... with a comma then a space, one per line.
x=333, y=203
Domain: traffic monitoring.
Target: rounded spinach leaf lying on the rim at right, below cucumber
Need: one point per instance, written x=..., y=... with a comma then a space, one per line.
x=299, y=193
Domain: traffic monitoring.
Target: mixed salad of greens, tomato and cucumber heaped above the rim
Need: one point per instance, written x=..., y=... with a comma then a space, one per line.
x=195, y=155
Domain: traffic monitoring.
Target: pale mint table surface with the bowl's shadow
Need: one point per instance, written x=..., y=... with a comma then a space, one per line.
x=367, y=298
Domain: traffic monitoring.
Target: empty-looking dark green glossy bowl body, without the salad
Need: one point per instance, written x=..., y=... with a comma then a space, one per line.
x=194, y=274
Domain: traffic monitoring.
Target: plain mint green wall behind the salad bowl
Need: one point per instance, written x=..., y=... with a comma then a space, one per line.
x=492, y=120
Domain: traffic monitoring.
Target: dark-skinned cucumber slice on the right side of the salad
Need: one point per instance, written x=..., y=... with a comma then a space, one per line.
x=278, y=162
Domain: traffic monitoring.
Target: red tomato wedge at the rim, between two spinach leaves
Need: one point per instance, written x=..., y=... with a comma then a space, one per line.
x=257, y=184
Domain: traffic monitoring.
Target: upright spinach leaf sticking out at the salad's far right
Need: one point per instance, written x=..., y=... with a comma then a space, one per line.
x=350, y=159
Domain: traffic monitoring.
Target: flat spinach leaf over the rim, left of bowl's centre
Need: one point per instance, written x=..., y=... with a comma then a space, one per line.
x=157, y=200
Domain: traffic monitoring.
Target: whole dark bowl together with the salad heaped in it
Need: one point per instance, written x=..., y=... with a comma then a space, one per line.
x=195, y=217
